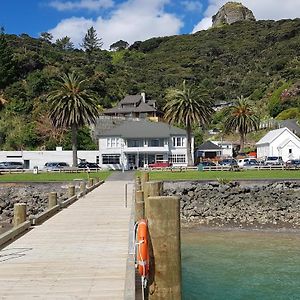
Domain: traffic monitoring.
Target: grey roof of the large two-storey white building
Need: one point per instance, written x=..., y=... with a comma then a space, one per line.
x=143, y=129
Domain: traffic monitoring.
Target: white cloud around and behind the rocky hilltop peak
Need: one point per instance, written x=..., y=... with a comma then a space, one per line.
x=262, y=9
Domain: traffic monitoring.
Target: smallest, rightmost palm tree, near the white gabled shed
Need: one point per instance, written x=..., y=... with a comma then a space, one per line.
x=241, y=117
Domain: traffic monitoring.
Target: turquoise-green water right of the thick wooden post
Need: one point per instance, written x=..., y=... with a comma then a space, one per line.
x=235, y=265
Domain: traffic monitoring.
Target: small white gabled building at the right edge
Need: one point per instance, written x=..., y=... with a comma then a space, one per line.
x=280, y=142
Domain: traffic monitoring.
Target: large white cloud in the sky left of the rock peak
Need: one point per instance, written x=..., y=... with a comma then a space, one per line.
x=132, y=21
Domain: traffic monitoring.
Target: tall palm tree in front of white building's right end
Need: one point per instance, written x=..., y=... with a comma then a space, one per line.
x=187, y=106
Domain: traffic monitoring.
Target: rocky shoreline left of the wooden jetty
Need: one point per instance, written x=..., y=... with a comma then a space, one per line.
x=34, y=195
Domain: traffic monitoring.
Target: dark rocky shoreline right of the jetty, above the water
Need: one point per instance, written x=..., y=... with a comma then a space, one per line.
x=231, y=205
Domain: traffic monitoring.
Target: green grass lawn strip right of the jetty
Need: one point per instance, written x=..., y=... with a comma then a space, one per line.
x=227, y=175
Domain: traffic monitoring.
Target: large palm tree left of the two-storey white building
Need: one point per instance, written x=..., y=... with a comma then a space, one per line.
x=72, y=106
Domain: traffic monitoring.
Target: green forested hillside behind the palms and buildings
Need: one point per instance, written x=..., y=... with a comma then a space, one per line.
x=258, y=60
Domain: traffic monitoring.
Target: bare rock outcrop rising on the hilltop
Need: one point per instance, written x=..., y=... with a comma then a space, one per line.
x=232, y=12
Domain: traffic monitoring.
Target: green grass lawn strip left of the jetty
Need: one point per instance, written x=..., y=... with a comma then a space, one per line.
x=51, y=176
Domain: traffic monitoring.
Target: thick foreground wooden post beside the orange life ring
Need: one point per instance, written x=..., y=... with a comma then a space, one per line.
x=163, y=215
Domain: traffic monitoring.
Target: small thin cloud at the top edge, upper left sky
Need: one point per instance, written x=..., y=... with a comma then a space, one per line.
x=82, y=4
